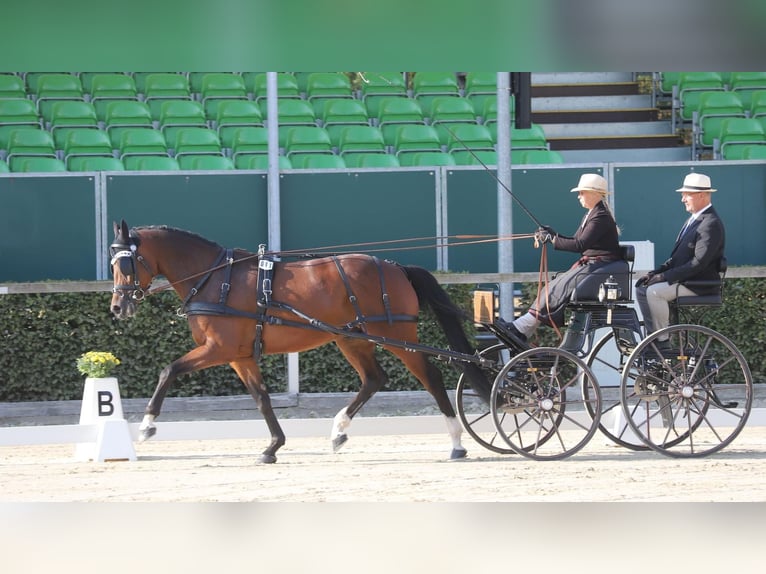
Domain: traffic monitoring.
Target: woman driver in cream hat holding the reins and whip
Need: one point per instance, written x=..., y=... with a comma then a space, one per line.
x=596, y=239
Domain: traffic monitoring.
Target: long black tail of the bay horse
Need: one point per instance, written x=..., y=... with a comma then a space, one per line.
x=450, y=317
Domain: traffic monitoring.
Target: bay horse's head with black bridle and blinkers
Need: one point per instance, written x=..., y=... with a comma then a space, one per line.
x=131, y=273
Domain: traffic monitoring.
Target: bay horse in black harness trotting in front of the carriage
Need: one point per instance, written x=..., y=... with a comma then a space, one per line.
x=241, y=305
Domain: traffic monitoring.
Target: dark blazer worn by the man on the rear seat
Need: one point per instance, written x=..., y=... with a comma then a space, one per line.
x=698, y=252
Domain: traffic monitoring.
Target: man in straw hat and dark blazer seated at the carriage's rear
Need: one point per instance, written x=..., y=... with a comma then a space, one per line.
x=696, y=255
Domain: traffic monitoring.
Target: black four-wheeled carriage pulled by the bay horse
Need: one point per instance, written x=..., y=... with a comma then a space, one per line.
x=607, y=375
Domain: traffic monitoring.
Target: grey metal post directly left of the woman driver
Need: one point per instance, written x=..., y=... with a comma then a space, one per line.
x=504, y=198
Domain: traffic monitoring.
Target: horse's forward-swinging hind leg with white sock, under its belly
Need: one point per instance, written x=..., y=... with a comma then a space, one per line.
x=361, y=355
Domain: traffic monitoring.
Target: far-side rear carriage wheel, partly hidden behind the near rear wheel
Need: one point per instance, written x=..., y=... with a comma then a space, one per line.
x=607, y=360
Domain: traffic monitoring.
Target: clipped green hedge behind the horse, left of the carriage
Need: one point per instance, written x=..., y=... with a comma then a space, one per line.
x=43, y=334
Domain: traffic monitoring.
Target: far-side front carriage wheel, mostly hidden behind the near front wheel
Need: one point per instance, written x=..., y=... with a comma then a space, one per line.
x=473, y=410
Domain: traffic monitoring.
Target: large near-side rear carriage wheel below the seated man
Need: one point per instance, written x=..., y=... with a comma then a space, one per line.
x=691, y=401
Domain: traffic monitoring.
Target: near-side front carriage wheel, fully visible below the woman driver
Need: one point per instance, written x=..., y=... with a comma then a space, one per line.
x=538, y=408
